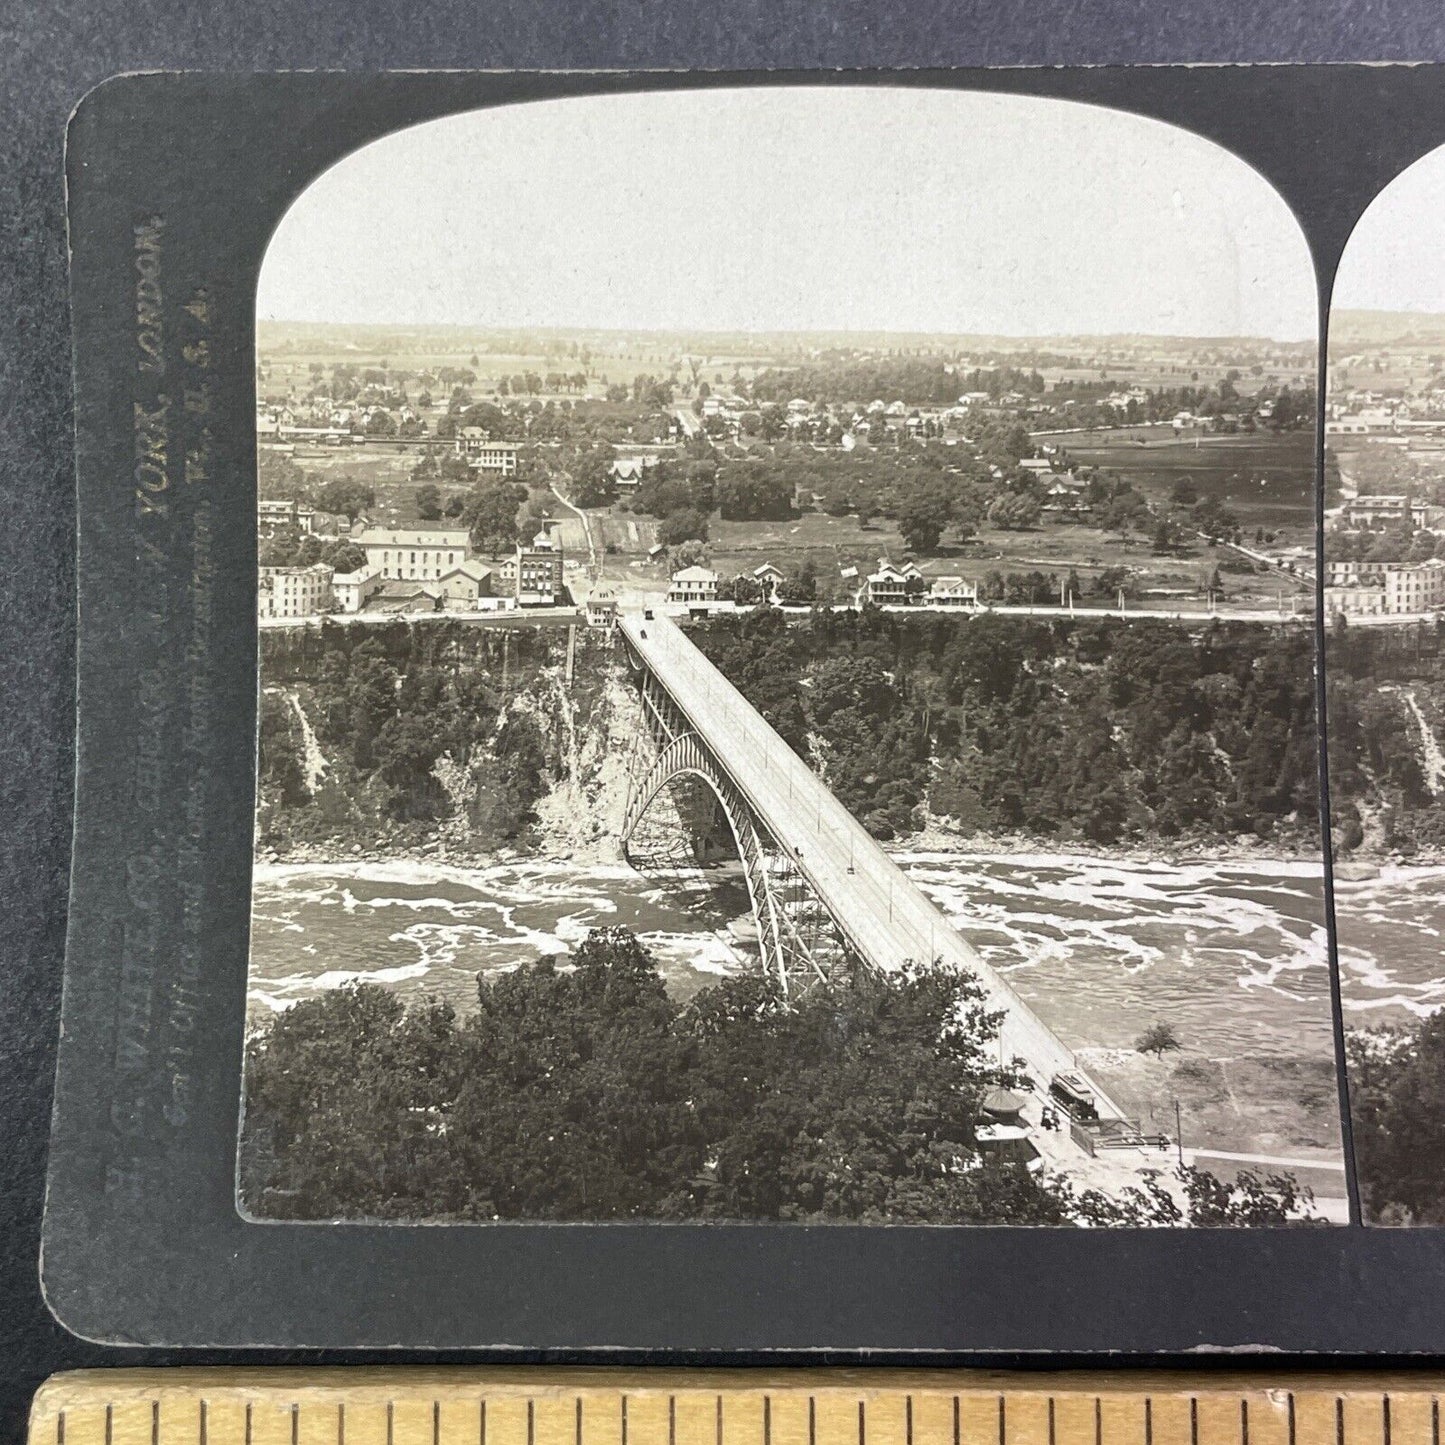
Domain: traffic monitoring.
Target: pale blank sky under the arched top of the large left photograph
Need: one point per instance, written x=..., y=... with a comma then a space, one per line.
x=823, y=209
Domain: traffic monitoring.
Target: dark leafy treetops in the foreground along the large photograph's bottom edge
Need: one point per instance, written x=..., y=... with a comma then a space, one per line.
x=587, y=1092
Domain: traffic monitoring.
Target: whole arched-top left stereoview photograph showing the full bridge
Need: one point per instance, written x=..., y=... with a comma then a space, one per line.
x=788, y=674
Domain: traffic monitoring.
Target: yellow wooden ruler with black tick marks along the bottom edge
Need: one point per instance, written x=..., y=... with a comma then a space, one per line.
x=544, y=1407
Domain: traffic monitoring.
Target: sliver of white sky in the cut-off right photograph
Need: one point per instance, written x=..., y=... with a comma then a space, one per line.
x=1395, y=258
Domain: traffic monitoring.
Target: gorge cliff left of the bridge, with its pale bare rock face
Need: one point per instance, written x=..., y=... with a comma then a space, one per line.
x=449, y=748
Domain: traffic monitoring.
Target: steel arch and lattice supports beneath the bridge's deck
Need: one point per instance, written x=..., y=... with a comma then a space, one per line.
x=797, y=937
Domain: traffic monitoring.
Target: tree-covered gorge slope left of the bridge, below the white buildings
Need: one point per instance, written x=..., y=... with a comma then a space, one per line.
x=410, y=733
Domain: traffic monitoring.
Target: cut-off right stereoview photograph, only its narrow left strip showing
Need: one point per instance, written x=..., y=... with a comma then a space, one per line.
x=1385, y=663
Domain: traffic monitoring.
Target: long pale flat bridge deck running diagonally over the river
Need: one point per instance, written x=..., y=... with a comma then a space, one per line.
x=879, y=910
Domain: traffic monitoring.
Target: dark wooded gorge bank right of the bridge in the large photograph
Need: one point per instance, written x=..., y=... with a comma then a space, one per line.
x=1096, y=732
